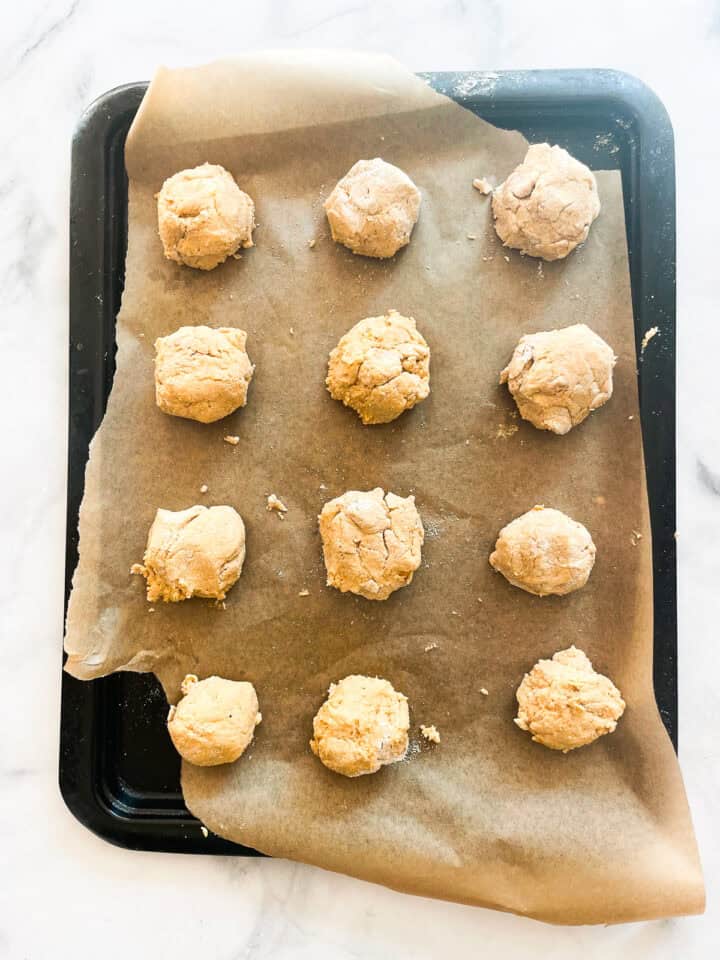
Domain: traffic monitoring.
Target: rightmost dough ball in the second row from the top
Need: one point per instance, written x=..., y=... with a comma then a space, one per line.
x=560, y=376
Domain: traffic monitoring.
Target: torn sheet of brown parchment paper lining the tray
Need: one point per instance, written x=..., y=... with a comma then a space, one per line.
x=487, y=817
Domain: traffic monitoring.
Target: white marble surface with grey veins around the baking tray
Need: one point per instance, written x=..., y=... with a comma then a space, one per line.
x=65, y=893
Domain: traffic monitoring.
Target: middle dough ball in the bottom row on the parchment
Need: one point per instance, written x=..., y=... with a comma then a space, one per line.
x=362, y=725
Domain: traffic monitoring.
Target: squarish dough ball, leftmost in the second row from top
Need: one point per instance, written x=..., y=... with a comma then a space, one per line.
x=202, y=373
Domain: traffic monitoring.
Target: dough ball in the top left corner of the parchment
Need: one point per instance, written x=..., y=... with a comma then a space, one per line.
x=204, y=217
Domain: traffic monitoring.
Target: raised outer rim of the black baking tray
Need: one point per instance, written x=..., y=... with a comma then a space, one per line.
x=105, y=118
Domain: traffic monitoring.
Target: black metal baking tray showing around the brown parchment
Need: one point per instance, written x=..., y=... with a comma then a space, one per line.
x=118, y=772
